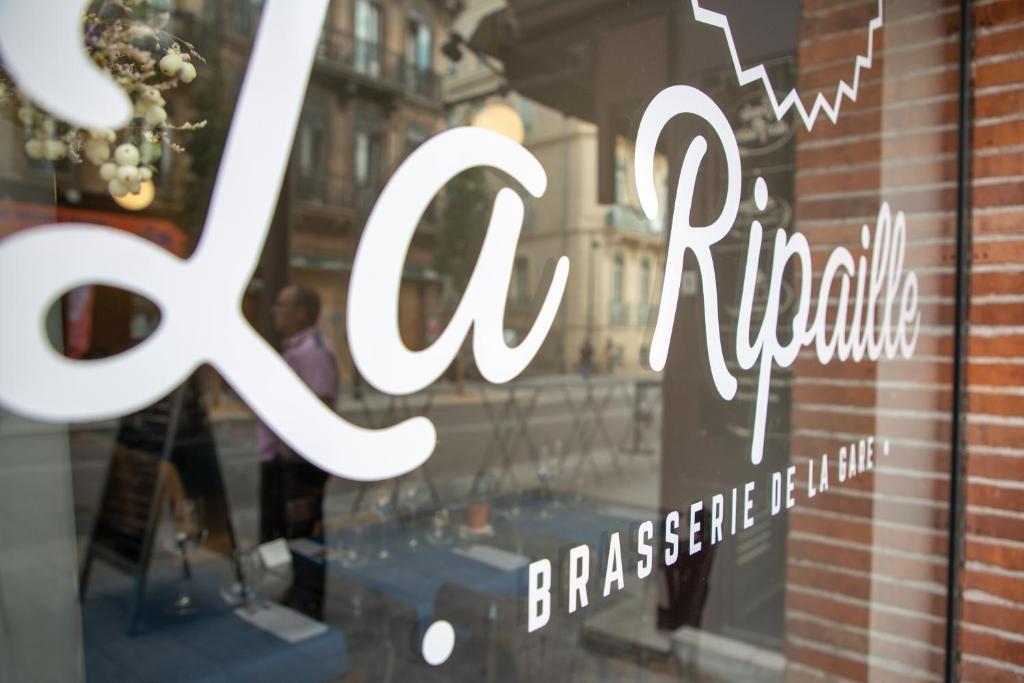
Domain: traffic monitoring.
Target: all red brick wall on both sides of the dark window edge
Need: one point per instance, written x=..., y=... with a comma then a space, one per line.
x=866, y=587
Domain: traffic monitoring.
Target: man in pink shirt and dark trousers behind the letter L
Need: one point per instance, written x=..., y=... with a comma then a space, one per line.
x=292, y=489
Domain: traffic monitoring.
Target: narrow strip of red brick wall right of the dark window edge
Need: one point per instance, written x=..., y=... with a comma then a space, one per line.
x=993, y=626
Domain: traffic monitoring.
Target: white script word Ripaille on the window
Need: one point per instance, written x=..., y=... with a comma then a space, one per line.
x=855, y=340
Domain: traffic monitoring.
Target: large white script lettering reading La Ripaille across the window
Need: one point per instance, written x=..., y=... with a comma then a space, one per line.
x=200, y=297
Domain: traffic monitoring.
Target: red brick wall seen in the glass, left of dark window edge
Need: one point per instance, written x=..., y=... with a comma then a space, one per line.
x=867, y=569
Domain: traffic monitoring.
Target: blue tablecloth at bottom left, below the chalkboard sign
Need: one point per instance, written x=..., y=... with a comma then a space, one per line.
x=211, y=647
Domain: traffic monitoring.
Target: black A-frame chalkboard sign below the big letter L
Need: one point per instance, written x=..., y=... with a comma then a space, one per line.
x=164, y=451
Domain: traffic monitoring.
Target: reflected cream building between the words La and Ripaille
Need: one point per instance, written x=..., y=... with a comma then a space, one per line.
x=616, y=251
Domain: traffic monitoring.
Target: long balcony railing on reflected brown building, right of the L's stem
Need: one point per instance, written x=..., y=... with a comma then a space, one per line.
x=373, y=62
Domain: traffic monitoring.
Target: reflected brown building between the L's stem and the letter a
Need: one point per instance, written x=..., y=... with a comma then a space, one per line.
x=374, y=97
